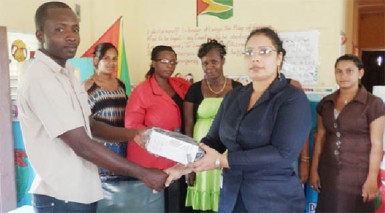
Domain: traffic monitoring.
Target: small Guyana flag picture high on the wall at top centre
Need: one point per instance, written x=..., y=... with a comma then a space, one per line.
x=222, y=9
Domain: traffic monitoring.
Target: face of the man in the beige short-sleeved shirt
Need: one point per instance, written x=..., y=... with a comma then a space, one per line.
x=60, y=35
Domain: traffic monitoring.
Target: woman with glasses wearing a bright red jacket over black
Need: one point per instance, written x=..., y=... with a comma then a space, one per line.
x=158, y=101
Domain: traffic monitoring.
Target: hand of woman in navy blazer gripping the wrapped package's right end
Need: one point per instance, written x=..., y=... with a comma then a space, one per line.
x=208, y=162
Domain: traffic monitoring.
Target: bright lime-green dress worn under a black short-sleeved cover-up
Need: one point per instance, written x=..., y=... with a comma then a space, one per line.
x=204, y=195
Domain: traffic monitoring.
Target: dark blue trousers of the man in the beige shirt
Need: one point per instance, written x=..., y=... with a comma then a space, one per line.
x=45, y=204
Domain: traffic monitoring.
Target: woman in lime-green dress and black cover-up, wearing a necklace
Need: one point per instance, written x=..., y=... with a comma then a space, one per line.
x=200, y=107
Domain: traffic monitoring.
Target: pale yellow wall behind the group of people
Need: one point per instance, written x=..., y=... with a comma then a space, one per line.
x=329, y=17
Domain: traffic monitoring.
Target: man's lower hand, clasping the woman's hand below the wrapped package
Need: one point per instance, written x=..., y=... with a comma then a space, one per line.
x=154, y=179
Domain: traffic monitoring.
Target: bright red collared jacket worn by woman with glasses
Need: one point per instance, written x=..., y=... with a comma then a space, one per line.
x=148, y=105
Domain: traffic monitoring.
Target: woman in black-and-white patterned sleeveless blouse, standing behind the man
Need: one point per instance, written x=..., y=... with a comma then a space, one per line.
x=107, y=99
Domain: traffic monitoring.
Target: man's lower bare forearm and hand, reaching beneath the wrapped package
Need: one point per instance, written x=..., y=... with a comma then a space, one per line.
x=98, y=154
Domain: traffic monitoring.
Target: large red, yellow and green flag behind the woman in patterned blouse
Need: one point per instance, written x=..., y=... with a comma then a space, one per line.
x=114, y=35
